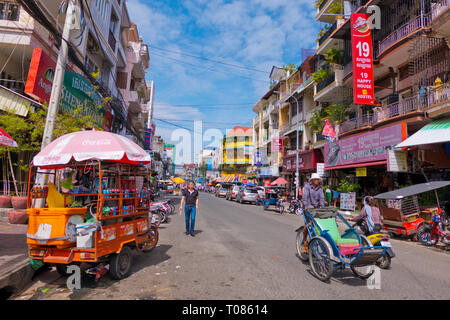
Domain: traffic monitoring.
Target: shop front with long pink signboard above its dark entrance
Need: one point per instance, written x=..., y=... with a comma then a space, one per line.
x=364, y=160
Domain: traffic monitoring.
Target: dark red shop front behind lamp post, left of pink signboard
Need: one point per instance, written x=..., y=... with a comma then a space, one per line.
x=307, y=164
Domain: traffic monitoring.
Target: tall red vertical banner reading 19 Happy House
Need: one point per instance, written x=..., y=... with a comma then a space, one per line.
x=362, y=51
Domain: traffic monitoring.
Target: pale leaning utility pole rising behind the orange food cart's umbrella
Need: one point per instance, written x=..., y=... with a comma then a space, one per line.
x=55, y=96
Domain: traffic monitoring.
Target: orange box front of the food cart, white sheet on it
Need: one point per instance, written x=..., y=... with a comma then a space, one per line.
x=51, y=223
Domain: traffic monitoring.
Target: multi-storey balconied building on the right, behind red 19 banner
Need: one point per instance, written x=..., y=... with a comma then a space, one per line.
x=411, y=60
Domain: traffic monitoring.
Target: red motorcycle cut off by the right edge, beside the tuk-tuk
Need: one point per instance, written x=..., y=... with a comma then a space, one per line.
x=430, y=233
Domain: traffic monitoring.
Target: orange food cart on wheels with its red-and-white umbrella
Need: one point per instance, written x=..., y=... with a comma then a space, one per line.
x=96, y=206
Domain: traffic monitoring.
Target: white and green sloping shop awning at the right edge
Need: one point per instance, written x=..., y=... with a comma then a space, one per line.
x=435, y=132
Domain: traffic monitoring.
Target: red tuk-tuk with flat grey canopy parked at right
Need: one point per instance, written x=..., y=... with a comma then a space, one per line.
x=400, y=208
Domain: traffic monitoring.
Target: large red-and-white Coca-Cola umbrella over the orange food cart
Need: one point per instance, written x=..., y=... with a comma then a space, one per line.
x=91, y=145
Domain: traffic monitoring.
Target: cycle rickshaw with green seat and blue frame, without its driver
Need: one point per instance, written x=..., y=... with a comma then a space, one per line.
x=326, y=249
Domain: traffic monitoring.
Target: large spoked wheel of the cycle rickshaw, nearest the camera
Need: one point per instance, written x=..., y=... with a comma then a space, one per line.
x=320, y=259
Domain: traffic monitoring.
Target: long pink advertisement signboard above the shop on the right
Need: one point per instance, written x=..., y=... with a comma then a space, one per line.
x=362, y=148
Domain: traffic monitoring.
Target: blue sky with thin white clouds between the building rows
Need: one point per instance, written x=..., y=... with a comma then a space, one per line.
x=256, y=34
